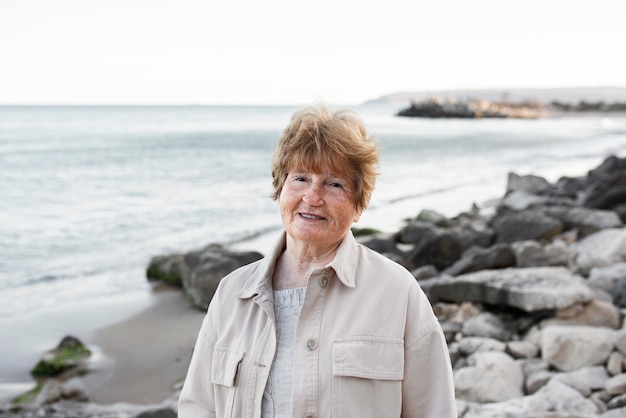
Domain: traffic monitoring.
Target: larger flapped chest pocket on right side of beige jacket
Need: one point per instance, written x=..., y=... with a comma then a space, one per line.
x=367, y=376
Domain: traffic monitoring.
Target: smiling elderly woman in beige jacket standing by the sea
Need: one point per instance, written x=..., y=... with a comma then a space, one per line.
x=322, y=326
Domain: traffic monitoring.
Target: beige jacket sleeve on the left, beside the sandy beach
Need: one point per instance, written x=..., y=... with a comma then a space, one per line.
x=196, y=398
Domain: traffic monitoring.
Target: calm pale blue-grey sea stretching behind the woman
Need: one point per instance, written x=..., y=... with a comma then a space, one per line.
x=89, y=194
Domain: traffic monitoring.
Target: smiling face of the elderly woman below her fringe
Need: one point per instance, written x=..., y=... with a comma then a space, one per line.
x=317, y=208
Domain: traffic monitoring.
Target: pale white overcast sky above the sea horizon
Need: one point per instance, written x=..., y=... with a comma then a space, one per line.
x=293, y=52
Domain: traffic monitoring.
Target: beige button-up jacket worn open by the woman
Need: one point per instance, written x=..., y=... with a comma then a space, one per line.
x=367, y=344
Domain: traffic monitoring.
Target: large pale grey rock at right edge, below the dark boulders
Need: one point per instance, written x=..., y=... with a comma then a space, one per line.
x=601, y=249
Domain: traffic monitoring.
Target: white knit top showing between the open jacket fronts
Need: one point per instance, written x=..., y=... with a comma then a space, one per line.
x=277, y=398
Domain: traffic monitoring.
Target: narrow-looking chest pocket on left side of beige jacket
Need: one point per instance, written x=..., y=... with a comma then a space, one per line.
x=224, y=371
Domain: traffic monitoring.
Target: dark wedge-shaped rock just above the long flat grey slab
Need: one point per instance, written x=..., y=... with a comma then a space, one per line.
x=495, y=257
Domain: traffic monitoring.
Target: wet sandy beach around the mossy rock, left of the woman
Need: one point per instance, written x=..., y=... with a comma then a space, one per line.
x=141, y=343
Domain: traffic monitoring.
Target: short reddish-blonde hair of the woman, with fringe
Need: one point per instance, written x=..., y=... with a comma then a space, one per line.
x=317, y=136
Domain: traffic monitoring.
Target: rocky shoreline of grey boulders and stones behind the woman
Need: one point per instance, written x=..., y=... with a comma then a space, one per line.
x=531, y=297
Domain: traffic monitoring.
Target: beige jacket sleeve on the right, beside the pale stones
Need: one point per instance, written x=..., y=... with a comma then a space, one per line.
x=428, y=385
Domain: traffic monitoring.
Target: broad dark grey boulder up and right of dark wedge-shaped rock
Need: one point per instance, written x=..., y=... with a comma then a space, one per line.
x=528, y=225
